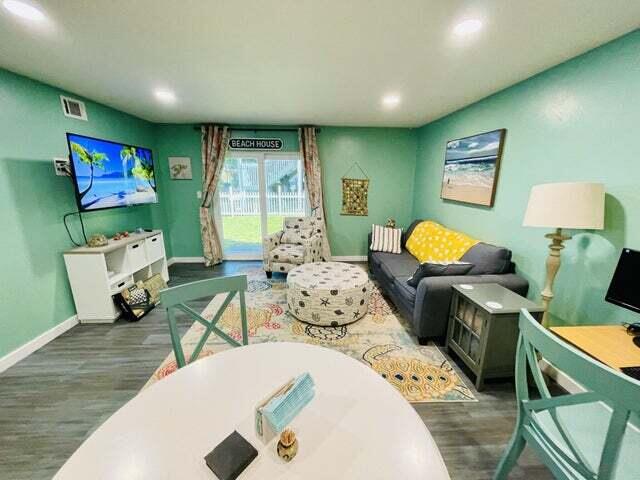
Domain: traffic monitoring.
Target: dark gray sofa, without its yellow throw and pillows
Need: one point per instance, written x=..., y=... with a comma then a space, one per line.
x=427, y=307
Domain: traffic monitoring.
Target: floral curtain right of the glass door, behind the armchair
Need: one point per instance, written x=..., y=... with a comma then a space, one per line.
x=313, y=178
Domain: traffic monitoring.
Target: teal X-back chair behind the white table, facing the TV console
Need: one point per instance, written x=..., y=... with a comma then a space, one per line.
x=174, y=299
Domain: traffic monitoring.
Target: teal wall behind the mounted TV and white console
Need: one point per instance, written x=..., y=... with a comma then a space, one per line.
x=35, y=295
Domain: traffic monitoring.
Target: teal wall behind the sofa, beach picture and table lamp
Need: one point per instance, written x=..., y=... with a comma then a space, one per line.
x=578, y=121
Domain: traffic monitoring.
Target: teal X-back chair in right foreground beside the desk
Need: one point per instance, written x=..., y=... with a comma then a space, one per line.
x=589, y=435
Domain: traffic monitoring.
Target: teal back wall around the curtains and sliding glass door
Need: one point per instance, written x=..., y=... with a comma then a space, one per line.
x=374, y=149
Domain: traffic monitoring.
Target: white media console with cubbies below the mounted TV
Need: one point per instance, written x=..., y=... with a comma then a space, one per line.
x=95, y=274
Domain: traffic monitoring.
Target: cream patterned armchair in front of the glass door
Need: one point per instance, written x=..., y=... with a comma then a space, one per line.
x=299, y=241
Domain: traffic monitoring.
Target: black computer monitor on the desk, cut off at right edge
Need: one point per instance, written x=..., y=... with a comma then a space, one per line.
x=624, y=289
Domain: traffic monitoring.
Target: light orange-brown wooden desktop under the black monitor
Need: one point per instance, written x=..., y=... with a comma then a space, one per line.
x=609, y=344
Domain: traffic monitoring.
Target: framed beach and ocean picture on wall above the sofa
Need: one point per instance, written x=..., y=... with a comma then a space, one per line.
x=471, y=167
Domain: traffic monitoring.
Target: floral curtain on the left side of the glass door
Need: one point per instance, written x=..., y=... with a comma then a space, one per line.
x=214, y=145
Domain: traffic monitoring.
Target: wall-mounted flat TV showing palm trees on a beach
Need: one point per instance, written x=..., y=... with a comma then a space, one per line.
x=109, y=174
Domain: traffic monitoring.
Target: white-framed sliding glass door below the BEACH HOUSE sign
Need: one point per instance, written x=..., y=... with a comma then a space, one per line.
x=255, y=192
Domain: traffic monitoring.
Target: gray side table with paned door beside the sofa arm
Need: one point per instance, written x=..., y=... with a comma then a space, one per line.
x=483, y=328
